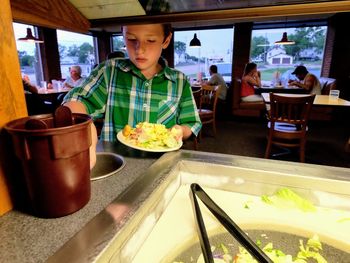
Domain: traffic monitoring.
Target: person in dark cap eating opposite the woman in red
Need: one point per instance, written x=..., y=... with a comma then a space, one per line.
x=306, y=81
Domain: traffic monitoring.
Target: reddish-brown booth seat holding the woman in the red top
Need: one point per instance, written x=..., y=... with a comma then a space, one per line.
x=241, y=108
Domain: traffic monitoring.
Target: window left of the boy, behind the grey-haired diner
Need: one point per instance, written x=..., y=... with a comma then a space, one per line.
x=75, y=49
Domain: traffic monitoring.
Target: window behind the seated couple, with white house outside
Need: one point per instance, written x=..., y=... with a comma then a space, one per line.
x=277, y=62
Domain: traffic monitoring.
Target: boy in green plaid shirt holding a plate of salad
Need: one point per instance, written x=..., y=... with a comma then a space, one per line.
x=141, y=88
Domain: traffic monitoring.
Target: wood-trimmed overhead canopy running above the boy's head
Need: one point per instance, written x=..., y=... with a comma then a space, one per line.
x=110, y=14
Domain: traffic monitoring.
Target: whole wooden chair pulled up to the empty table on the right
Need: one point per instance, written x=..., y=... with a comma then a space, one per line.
x=288, y=122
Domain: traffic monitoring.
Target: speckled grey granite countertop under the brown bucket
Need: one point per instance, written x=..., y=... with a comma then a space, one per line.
x=27, y=238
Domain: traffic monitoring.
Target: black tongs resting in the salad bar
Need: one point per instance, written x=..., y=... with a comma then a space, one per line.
x=226, y=221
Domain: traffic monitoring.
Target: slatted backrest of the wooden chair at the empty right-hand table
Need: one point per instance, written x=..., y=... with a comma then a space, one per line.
x=292, y=110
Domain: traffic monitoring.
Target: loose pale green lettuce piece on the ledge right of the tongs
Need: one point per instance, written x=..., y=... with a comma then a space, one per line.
x=286, y=198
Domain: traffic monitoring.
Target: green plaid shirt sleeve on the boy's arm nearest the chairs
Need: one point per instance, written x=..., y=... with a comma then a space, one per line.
x=188, y=110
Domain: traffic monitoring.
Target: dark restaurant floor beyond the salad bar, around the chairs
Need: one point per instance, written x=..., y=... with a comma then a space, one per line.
x=325, y=141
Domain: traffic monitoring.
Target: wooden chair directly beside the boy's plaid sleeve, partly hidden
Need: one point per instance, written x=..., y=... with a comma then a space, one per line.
x=207, y=105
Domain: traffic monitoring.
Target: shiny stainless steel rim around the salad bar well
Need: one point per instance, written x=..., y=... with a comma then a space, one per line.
x=117, y=233
